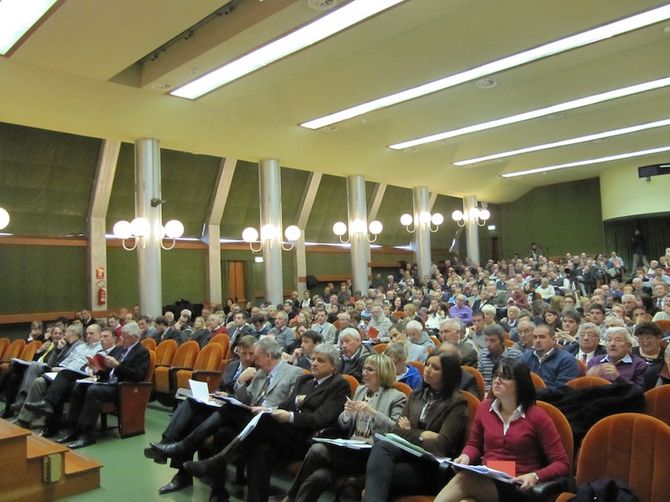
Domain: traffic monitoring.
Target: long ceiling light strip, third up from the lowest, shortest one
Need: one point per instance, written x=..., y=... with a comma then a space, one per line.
x=540, y=112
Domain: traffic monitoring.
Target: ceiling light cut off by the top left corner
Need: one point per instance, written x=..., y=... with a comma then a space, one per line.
x=17, y=17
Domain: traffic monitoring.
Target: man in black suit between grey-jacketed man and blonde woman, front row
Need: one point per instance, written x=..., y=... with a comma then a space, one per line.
x=314, y=404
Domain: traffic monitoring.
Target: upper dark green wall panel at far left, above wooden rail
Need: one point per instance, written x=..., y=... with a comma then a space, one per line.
x=46, y=179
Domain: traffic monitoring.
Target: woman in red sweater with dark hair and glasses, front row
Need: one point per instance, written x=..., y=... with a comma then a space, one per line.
x=509, y=428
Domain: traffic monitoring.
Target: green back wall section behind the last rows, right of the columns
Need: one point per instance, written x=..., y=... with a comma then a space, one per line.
x=561, y=218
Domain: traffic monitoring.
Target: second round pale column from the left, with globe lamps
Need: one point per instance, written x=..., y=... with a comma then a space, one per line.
x=269, y=175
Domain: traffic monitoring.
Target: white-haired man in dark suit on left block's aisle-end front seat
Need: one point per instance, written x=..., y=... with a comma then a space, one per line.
x=132, y=366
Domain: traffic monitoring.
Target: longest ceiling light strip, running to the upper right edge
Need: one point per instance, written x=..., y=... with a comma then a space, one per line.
x=565, y=44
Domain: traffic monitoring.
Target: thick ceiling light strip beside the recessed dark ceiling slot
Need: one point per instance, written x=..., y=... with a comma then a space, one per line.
x=334, y=22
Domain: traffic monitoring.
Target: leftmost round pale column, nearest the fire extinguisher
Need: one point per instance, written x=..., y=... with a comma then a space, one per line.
x=148, y=187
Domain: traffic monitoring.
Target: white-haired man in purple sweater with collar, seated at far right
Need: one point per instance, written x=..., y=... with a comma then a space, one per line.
x=619, y=365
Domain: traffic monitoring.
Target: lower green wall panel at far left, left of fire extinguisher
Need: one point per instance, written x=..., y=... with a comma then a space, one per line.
x=42, y=279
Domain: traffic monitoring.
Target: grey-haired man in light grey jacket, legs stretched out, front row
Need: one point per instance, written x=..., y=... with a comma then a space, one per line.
x=263, y=386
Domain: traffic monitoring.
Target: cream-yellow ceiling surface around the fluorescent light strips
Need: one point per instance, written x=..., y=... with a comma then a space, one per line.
x=66, y=74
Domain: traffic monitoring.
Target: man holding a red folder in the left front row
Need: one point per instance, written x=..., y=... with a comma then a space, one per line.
x=62, y=386
